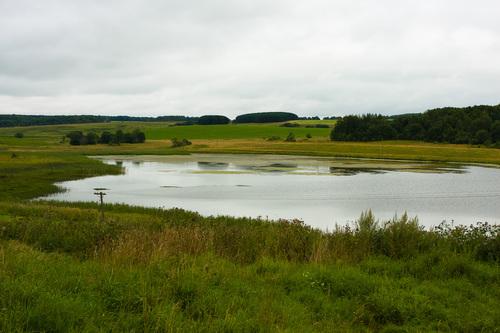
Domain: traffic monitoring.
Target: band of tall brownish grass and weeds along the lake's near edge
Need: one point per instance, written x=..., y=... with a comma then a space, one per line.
x=140, y=234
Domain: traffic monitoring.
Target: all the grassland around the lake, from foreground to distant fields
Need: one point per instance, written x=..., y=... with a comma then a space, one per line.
x=63, y=268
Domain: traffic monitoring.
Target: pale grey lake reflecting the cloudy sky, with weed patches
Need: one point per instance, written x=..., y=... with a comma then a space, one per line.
x=319, y=191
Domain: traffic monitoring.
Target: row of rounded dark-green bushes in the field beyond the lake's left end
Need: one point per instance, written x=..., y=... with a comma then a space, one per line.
x=78, y=138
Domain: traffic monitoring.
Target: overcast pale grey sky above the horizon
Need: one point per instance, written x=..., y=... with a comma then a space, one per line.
x=314, y=57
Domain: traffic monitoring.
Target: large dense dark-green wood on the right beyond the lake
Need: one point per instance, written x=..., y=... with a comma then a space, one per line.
x=472, y=125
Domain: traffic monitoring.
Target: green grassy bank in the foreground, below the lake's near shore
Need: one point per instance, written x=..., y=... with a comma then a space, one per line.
x=150, y=270
